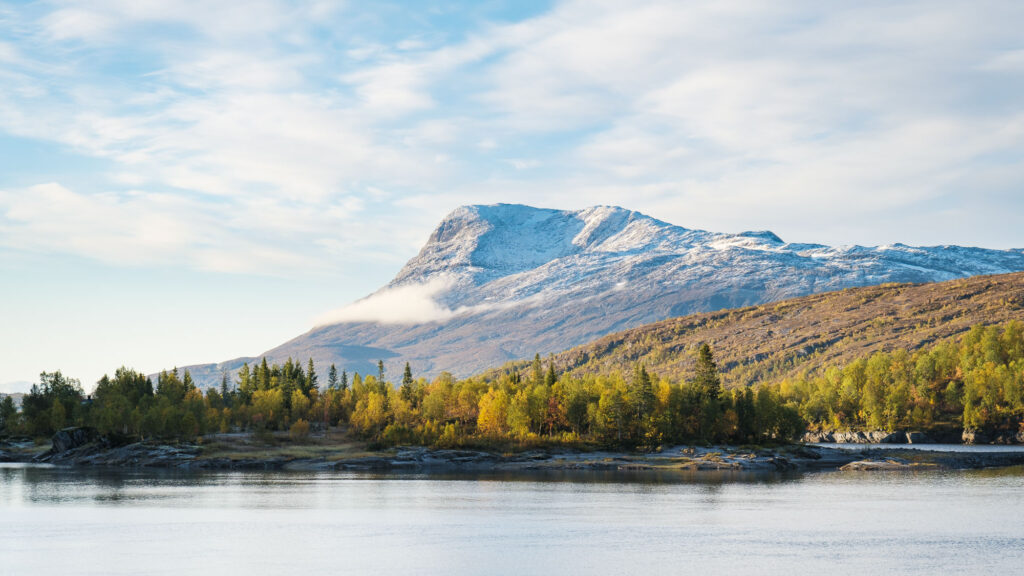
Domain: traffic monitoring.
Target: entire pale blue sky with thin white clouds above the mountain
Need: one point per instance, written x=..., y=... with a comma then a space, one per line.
x=195, y=181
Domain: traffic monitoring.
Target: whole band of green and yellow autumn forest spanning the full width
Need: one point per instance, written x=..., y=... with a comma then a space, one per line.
x=976, y=383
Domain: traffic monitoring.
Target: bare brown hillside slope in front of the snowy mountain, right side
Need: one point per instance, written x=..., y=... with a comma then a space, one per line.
x=801, y=336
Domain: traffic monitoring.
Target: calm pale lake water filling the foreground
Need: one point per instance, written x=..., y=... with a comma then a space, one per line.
x=58, y=521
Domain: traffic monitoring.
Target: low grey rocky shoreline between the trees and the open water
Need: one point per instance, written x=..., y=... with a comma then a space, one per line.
x=79, y=447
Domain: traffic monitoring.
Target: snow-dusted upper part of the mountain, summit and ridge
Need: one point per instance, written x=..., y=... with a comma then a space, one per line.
x=514, y=254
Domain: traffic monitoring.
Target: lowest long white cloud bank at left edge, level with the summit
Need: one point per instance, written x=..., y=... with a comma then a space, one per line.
x=165, y=230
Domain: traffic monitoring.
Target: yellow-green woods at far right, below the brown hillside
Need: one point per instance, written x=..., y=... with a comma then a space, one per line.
x=977, y=384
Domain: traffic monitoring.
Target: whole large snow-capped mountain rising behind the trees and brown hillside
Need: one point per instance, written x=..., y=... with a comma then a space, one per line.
x=503, y=282
